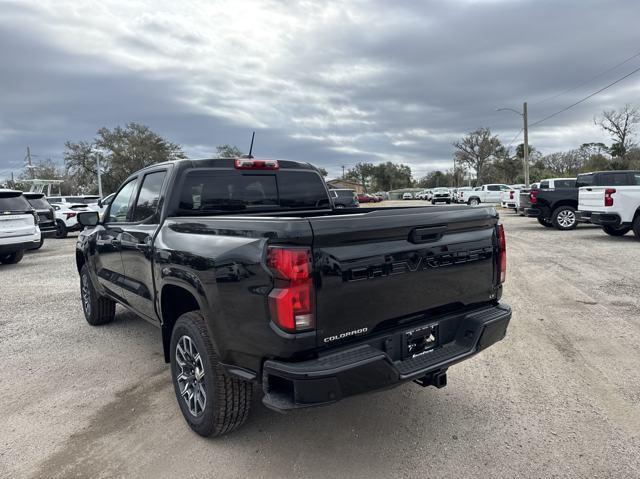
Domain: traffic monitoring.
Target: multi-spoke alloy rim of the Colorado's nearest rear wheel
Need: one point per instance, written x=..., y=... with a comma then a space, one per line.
x=191, y=376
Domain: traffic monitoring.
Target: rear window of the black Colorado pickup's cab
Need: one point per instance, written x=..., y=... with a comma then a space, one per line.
x=215, y=191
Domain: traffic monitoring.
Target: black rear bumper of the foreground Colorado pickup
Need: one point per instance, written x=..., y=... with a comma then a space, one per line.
x=370, y=365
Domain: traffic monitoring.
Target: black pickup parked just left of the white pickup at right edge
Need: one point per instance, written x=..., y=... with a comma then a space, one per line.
x=554, y=203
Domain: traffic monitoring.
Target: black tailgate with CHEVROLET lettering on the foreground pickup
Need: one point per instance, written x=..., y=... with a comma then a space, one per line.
x=380, y=268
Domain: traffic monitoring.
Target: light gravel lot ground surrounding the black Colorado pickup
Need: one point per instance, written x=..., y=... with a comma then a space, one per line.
x=559, y=397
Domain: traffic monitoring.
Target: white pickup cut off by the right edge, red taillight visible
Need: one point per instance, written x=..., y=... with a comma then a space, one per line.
x=616, y=207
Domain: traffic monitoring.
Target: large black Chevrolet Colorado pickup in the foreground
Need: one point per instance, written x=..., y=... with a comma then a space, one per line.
x=255, y=279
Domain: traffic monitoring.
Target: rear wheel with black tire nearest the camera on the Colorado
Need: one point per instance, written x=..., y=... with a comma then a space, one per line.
x=227, y=399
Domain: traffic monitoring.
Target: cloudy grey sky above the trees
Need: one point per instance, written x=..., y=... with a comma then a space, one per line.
x=328, y=82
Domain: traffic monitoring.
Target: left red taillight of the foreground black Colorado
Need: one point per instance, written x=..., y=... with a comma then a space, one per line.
x=291, y=302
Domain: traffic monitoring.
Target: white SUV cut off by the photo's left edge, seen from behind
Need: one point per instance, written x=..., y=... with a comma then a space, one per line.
x=18, y=226
